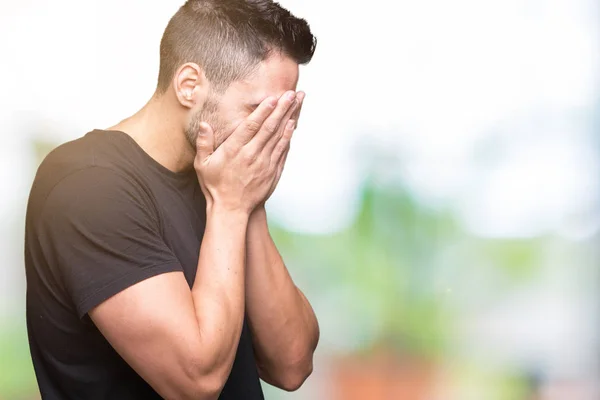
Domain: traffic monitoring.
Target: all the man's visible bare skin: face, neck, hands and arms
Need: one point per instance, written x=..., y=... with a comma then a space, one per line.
x=183, y=342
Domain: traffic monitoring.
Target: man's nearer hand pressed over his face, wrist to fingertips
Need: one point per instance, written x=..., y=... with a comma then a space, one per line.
x=244, y=170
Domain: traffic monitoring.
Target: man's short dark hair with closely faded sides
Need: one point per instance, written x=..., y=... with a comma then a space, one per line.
x=229, y=38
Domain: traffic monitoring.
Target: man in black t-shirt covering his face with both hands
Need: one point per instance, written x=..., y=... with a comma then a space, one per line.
x=150, y=270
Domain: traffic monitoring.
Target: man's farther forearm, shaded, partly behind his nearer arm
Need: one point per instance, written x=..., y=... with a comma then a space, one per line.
x=284, y=326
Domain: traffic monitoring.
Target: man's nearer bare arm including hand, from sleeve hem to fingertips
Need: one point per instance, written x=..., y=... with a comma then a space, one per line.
x=183, y=342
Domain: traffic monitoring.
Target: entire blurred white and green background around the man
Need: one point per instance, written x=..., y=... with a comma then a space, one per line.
x=440, y=206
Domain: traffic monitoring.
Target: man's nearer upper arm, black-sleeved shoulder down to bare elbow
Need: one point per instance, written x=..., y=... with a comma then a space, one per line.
x=102, y=241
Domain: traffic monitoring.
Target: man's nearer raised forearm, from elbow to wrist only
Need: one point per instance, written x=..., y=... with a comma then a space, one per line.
x=218, y=290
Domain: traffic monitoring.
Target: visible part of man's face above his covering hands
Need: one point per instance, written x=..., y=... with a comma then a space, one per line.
x=224, y=112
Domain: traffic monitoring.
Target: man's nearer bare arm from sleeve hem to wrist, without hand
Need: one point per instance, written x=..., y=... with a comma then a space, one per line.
x=183, y=343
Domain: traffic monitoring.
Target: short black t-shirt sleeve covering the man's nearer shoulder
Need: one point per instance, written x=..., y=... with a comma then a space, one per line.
x=100, y=234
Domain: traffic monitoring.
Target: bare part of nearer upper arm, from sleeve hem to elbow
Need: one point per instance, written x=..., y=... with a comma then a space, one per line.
x=153, y=326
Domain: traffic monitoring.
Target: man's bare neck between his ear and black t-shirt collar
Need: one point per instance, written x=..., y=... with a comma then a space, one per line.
x=159, y=132
